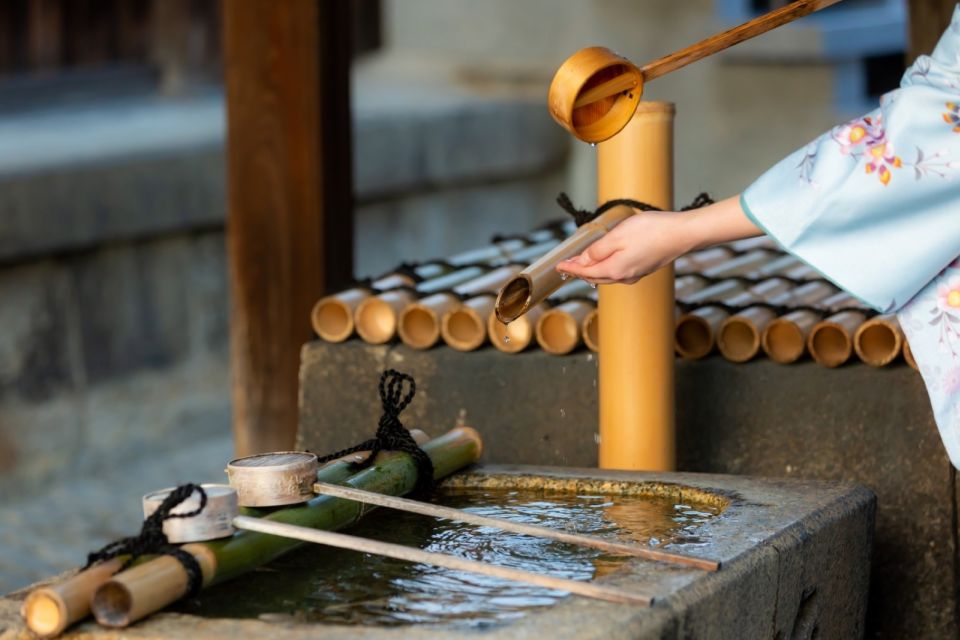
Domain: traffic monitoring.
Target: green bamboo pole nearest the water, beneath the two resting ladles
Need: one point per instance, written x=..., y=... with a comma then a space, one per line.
x=151, y=586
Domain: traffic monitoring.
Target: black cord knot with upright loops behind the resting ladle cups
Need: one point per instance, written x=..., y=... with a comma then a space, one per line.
x=391, y=434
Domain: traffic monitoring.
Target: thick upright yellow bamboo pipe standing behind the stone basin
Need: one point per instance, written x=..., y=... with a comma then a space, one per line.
x=636, y=364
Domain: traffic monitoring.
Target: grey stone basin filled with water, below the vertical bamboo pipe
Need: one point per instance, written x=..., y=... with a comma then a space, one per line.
x=795, y=560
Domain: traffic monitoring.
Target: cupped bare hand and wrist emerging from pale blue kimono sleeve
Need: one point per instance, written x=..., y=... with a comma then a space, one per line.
x=652, y=239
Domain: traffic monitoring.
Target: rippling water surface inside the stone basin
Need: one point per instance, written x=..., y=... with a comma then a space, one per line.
x=318, y=584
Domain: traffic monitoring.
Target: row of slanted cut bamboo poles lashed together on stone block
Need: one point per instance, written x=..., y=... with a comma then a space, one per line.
x=745, y=300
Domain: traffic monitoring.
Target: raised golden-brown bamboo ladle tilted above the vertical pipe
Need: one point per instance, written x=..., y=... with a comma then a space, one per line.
x=595, y=92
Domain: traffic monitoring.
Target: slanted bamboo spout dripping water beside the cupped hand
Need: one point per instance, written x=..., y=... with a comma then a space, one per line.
x=532, y=285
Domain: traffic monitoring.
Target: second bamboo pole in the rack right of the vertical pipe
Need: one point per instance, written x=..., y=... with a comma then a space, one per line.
x=740, y=336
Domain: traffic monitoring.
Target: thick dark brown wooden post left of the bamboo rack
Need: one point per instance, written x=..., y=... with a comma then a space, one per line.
x=289, y=175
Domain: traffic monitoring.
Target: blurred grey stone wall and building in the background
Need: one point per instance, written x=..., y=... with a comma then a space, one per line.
x=113, y=285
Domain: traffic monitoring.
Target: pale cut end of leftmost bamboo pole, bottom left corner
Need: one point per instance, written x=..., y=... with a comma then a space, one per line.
x=49, y=610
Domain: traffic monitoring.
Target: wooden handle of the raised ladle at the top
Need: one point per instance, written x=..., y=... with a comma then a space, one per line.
x=721, y=41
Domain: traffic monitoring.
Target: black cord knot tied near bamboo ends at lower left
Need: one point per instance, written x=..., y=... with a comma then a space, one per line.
x=153, y=541
